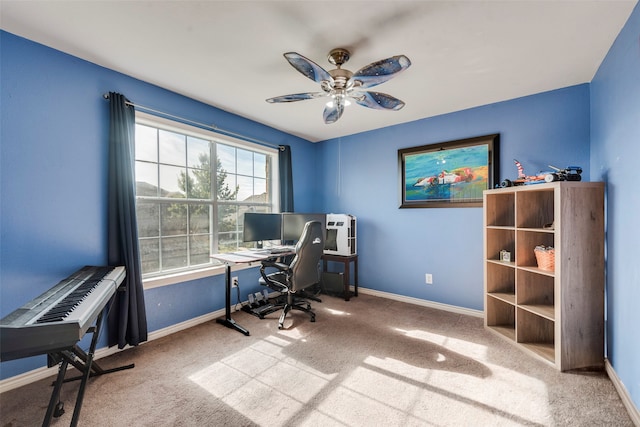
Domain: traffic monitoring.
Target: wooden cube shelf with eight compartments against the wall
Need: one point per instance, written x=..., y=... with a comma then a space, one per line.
x=556, y=315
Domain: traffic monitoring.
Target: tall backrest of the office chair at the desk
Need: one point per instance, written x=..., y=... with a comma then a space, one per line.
x=305, y=265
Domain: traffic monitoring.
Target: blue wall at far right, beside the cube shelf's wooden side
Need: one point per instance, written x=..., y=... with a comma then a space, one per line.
x=615, y=151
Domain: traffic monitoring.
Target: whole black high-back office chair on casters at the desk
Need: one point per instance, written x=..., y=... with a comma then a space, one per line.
x=302, y=272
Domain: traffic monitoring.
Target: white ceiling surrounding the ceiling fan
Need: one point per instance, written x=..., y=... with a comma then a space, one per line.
x=229, y=53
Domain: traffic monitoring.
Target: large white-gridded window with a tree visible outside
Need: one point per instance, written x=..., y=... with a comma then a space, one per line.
x=189, y=206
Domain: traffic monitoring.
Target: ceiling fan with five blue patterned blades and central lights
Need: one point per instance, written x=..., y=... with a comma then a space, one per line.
x=341, y=85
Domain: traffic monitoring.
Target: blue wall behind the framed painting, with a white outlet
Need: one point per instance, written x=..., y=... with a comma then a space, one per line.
x=398, y=246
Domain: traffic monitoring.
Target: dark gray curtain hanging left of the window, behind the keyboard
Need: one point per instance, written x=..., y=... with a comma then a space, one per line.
x=127, y=318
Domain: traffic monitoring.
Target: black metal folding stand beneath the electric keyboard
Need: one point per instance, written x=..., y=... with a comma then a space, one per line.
x=85, y=364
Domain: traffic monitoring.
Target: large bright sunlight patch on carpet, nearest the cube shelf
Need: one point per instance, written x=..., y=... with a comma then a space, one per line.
x=425, y=394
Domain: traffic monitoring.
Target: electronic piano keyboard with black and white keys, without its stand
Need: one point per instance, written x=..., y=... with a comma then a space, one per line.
x=59, y=318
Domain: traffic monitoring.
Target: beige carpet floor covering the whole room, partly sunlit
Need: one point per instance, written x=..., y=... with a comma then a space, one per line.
x=370, y=361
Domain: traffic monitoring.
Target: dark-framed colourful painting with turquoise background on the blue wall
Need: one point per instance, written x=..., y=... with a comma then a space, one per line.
x=449, y=174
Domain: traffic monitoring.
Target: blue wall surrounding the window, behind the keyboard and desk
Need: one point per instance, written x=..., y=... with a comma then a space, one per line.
x=53, y=166
